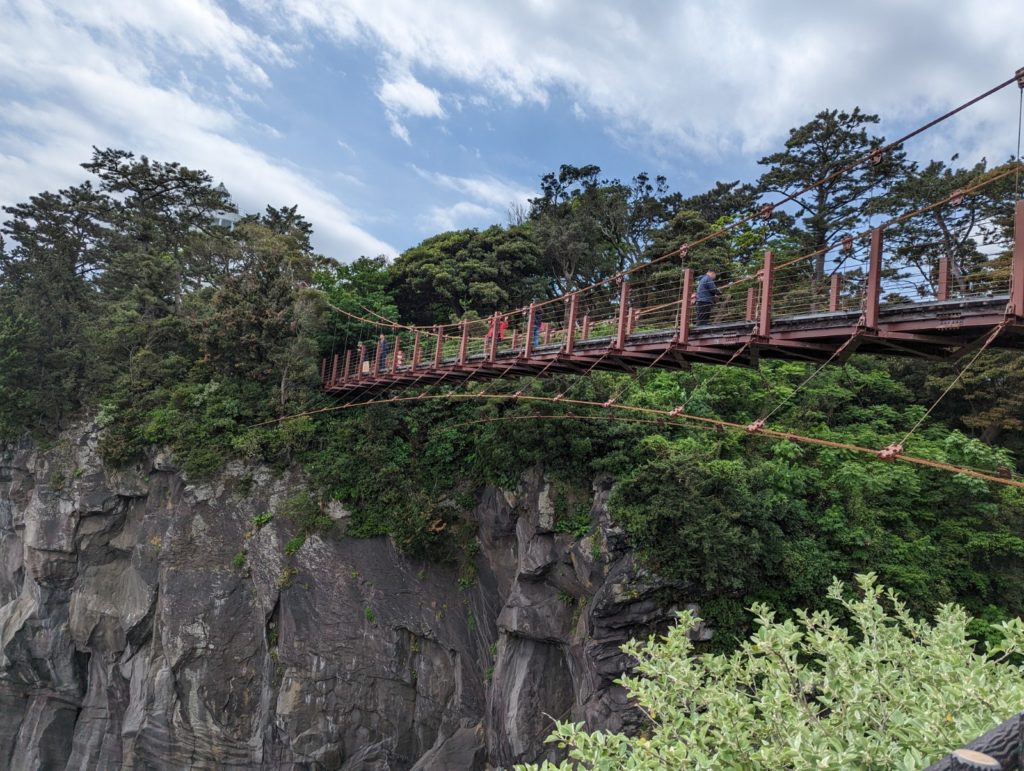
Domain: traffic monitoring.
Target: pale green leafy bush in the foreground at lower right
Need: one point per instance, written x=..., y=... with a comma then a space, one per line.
x=886, y=691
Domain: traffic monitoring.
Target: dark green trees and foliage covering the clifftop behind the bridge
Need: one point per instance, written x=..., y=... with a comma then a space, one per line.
x=121, y=298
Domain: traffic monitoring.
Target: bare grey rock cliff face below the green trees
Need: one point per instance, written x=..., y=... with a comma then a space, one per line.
x=134, y=635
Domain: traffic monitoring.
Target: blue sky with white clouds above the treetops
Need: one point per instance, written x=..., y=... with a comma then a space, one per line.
x=390, y=121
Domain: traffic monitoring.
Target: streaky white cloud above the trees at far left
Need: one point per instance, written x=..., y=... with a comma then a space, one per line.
x=84, y=79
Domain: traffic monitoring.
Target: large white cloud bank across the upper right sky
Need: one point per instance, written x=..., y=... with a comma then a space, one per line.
x=713, y=79
